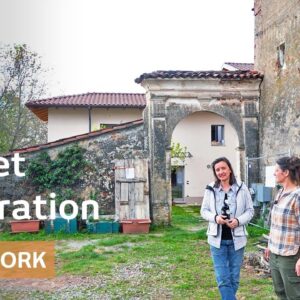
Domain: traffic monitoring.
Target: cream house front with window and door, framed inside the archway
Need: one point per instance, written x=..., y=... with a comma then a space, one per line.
x=205, y=136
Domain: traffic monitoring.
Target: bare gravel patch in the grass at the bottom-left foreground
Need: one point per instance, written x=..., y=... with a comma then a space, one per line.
x=85, y=287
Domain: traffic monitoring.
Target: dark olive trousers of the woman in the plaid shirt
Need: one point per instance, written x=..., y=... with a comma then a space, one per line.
x=285, y=280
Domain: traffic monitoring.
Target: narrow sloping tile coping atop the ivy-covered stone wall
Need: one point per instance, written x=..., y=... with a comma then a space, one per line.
x=75, y=138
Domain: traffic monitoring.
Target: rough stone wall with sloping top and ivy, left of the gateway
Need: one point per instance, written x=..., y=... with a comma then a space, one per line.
x=103, y=151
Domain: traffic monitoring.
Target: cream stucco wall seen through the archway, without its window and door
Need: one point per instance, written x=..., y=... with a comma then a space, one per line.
x=194, y=132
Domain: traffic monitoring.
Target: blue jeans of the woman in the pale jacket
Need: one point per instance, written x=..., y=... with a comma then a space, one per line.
x=227, y=265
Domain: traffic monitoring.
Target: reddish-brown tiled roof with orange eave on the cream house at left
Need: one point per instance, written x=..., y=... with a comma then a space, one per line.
x=130, y=100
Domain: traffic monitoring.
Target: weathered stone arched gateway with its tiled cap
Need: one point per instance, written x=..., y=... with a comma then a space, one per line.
x=173, y=95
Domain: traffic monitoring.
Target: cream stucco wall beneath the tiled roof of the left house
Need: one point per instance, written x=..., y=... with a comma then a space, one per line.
x=66, y=122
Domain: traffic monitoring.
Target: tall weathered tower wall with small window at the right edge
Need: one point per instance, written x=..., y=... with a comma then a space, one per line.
x=278, y=24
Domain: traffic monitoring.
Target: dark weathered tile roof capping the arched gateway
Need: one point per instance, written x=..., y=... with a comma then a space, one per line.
x=225, y=75
